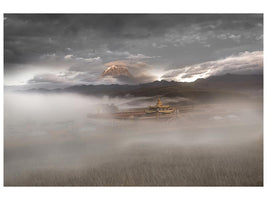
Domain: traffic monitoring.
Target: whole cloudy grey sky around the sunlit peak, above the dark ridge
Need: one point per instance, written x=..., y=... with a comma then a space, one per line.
x=60, y=50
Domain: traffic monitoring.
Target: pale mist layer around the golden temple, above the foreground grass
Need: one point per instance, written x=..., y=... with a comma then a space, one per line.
x=52, y=131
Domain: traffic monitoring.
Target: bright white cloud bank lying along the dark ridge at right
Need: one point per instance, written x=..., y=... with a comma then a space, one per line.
x=245, y=62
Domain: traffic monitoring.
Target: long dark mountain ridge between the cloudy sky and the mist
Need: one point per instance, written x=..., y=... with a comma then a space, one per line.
x=228, y=84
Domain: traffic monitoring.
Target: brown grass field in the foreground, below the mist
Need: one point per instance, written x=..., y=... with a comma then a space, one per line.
x=193, y=168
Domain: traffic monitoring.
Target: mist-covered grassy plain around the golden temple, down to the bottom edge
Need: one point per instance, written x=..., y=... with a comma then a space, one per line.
x=50, y=140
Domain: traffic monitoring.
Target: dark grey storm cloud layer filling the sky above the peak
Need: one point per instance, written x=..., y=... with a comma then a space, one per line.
x=83, y=43
